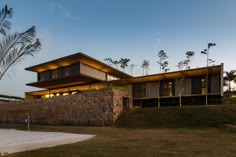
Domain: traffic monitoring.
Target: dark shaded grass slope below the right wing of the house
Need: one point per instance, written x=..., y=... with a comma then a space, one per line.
x=175, y=117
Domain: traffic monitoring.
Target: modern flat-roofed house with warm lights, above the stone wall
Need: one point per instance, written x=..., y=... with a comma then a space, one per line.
x=78, y=72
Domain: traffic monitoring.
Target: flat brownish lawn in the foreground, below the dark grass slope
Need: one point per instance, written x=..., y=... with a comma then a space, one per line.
x=121, y=142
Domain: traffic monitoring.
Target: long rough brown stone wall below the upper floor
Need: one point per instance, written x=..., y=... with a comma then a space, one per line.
x=91, y=108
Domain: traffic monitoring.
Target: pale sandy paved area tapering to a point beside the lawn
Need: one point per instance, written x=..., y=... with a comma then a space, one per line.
x=12, y=141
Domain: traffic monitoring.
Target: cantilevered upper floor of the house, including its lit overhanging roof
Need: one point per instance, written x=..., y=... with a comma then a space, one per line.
x=74, y=70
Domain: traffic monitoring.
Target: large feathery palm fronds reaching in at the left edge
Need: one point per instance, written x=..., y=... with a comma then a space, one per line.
x=15, y=46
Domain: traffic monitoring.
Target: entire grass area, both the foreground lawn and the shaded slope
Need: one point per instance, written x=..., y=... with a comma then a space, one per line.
x=168, y=132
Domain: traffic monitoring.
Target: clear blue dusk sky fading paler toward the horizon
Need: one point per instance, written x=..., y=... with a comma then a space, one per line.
x=135, y=29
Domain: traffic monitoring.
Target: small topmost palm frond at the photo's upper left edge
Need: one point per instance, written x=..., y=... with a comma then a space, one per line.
x=5, y=25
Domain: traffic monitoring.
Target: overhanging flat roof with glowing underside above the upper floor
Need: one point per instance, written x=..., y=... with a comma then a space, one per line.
x=75, y=58
